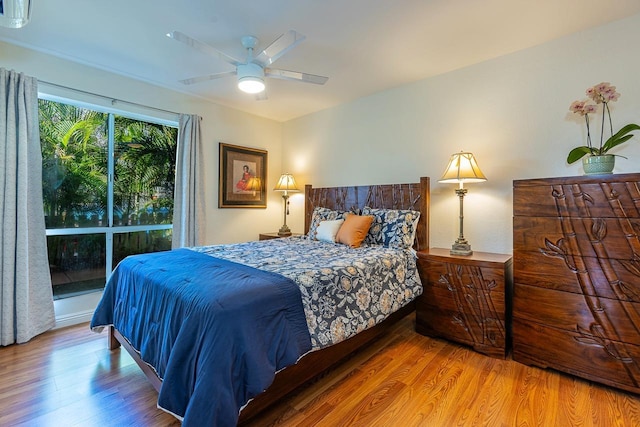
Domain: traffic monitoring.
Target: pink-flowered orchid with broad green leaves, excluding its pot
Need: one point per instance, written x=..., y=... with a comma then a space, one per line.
x=602, y=93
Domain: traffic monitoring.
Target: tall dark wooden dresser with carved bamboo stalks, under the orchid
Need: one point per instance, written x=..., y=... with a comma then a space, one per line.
x=576, y=303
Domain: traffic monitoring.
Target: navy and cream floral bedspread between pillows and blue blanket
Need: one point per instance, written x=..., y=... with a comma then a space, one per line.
x=344, y=290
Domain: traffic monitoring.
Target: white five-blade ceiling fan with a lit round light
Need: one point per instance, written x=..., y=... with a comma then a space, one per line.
x=252, y=71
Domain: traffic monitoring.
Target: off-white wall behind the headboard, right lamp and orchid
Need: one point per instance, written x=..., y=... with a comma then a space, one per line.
x=511, y=112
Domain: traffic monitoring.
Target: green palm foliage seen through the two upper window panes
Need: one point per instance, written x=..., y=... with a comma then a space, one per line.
x=74, y=144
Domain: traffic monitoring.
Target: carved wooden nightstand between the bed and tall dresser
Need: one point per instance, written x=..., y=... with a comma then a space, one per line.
x=466, y=299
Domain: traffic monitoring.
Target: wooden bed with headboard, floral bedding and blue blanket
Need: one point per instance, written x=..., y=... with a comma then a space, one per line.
x=288, y=357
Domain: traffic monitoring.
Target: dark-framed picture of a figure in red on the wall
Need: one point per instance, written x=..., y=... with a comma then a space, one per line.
x=242, y=180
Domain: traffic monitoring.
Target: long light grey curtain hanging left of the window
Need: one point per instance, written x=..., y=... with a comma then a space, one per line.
x=26, y=297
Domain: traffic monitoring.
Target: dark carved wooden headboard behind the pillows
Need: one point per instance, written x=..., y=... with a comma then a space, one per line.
x=413, y=196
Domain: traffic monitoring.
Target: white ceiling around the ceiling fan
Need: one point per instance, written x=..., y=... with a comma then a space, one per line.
x=363, y=46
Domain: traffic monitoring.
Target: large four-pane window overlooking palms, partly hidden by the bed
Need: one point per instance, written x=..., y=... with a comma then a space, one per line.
x=108, y=183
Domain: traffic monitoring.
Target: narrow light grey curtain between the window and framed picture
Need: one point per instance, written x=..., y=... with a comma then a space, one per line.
x=189, y=192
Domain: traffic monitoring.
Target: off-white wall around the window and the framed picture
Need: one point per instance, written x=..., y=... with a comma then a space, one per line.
x=219, y=124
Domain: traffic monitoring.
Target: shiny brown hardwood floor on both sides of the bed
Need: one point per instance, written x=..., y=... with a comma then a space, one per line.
x=68, y=377
